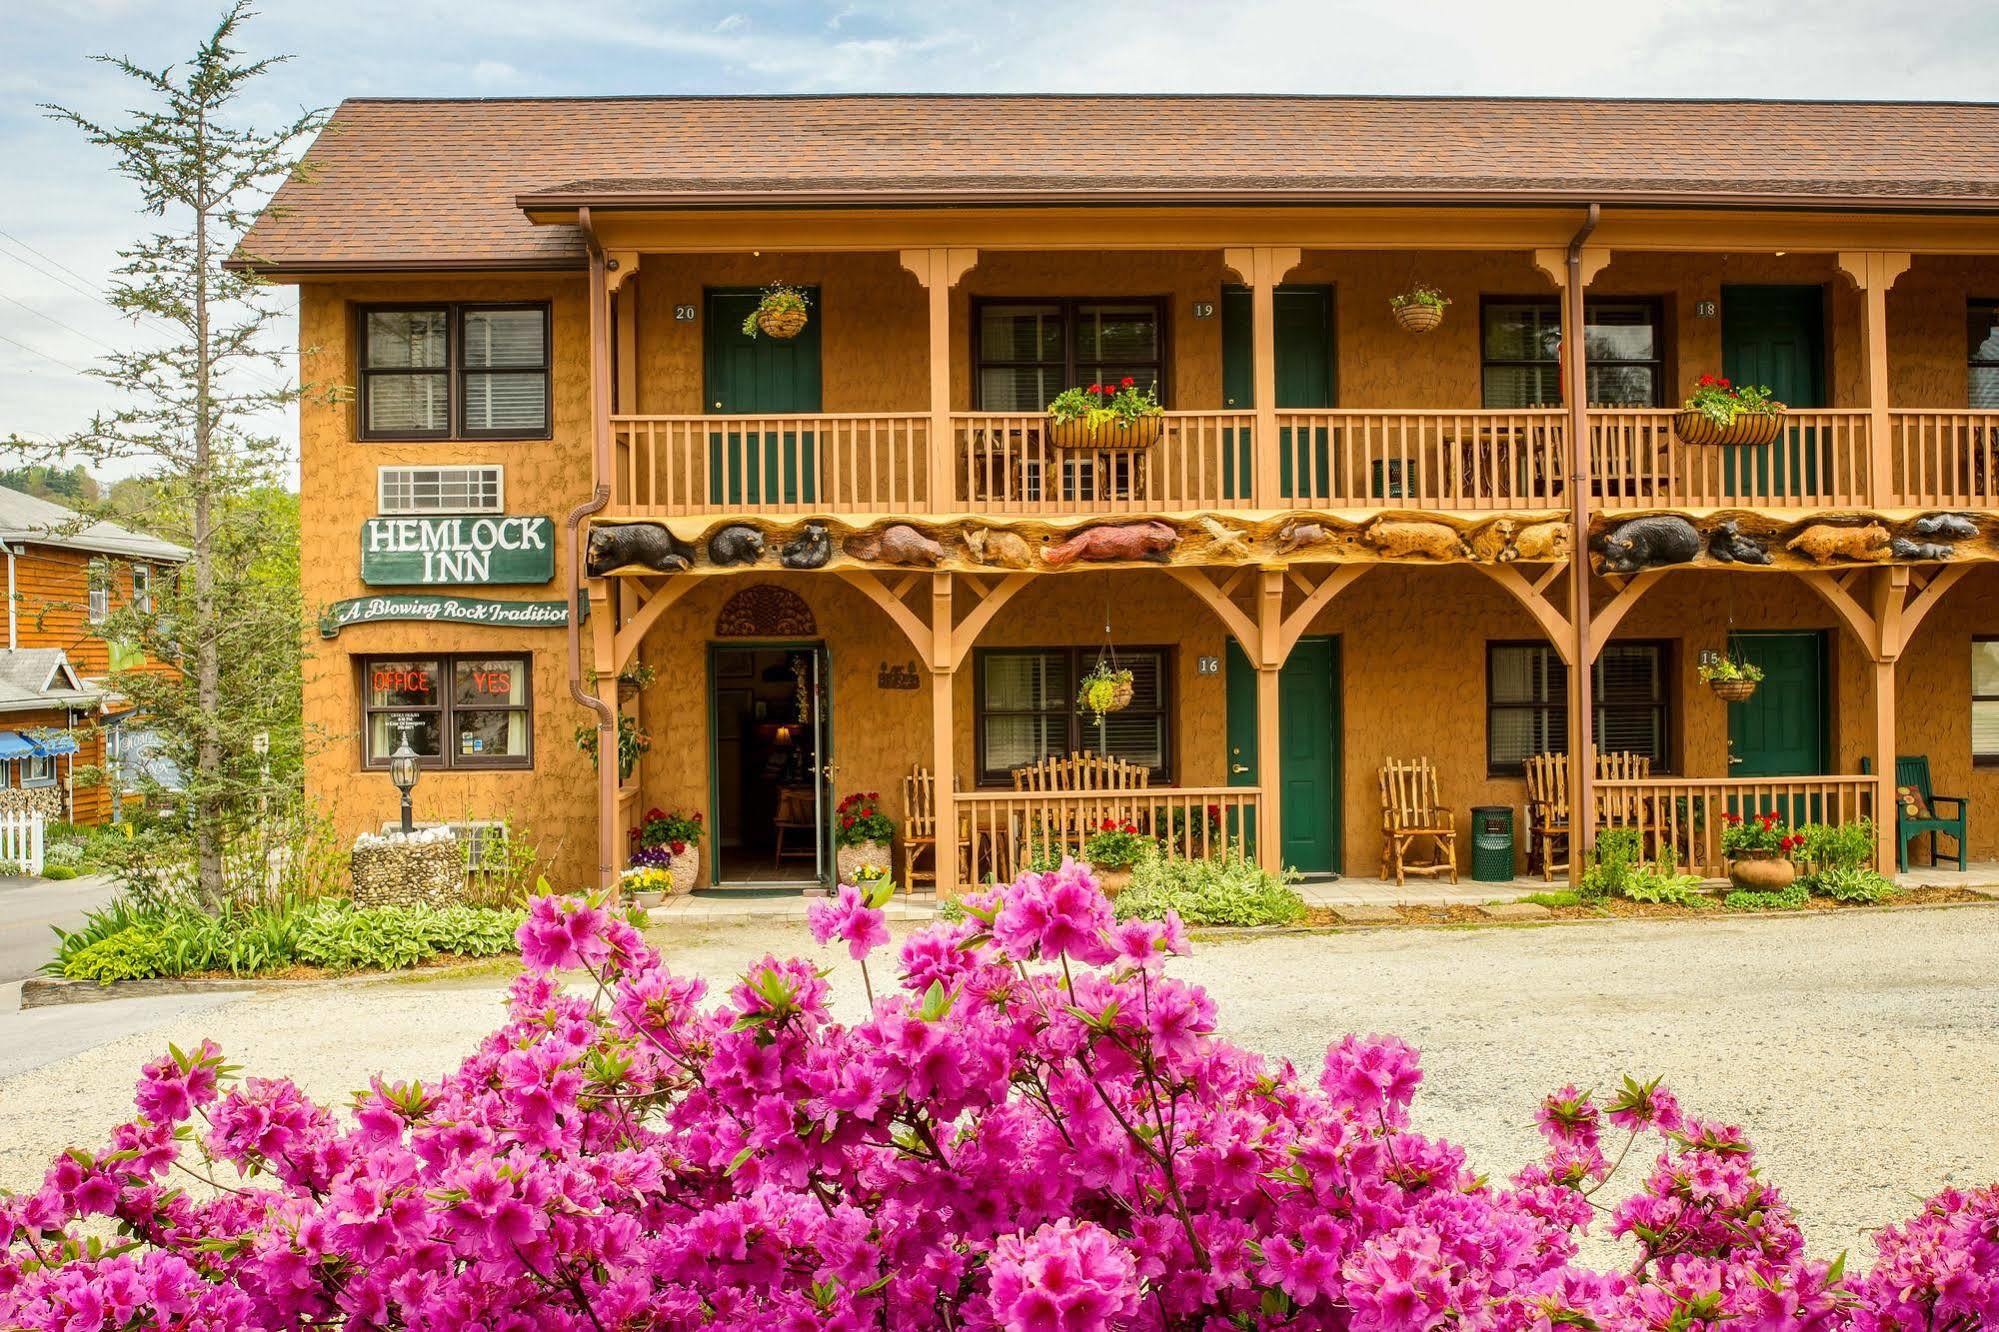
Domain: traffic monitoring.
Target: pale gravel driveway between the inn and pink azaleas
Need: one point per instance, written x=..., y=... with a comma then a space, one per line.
x=1860, y=1051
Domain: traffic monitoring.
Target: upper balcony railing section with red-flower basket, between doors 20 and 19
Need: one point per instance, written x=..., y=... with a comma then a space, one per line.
x=1010, y=467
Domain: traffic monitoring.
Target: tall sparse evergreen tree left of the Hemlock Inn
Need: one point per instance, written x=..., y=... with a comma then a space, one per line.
x=229, y=621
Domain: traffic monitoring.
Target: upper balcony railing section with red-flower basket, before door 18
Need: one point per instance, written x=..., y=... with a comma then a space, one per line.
x=1820, y=461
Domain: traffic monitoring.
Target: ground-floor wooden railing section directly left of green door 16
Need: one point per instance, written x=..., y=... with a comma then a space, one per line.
x=1012, y=829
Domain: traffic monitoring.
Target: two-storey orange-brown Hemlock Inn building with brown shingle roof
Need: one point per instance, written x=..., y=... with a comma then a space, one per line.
x=833, y=561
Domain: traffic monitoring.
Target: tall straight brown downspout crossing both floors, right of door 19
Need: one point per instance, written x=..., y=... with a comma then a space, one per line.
x=1584, y=781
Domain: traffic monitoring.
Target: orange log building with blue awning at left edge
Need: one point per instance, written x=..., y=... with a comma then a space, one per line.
x=59, y=707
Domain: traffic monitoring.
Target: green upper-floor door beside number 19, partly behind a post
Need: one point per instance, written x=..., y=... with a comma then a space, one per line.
x=1304, y=381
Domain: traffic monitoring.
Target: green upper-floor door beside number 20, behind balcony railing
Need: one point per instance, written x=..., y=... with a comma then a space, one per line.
x=745, y=377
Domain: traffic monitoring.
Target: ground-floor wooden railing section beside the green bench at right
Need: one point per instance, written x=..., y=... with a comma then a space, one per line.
x=1686, y=815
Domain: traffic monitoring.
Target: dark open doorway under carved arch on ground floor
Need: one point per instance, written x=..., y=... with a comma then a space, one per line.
x=769, y=717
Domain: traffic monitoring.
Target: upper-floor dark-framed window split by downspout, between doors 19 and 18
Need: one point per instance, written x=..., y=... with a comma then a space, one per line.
x=1522, y=353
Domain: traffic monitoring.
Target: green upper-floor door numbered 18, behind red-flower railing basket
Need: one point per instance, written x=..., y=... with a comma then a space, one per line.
x=1776, y=337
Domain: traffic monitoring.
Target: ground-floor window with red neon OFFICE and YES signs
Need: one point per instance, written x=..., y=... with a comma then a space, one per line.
x=457, y=711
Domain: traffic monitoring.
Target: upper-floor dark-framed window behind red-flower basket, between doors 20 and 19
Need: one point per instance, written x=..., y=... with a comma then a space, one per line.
x=1028, y=351
